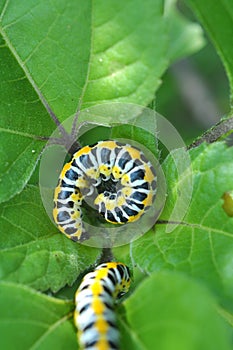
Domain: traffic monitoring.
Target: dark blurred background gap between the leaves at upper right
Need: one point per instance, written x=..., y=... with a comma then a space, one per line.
x=194, y=91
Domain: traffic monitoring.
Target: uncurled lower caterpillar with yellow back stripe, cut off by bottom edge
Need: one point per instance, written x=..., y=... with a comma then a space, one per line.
x=94, y=314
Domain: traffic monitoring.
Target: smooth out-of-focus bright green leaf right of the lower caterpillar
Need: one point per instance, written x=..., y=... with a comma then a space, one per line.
x=169, y=311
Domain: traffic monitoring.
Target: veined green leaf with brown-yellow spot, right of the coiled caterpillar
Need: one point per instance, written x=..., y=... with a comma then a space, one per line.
x=202, y=244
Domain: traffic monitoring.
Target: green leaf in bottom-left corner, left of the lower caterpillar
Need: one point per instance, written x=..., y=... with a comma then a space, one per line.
x=30, y=320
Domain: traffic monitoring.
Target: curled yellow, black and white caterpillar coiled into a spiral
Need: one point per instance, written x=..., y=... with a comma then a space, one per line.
x=119, y=176
